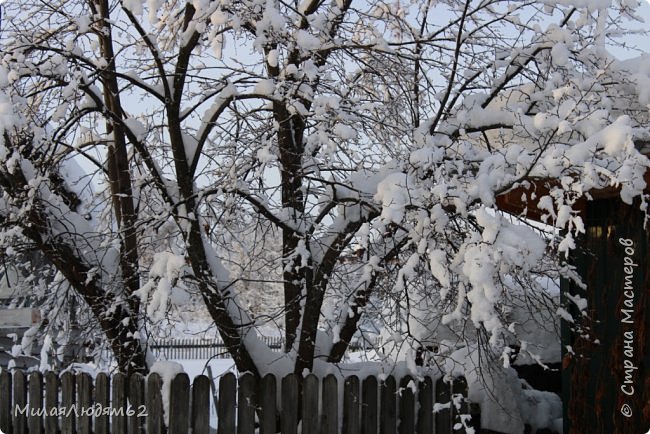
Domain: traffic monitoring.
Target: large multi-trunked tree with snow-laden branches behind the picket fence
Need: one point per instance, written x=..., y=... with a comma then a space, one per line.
x=361, y=145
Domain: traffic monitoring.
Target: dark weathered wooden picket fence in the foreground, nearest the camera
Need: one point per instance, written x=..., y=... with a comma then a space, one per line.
x=120, y=405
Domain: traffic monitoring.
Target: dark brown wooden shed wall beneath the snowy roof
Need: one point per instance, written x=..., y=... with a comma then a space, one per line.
x=615, y=232
